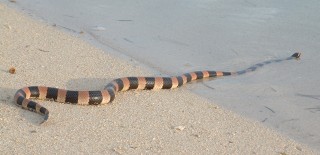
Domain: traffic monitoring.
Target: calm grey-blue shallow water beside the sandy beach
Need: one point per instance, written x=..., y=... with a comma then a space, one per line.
x=173, y=37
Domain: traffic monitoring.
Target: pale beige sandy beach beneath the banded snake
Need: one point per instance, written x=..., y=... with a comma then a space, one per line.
x=144, y=122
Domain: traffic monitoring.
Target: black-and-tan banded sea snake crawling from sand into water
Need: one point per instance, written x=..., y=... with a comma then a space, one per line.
x=23, y=95
